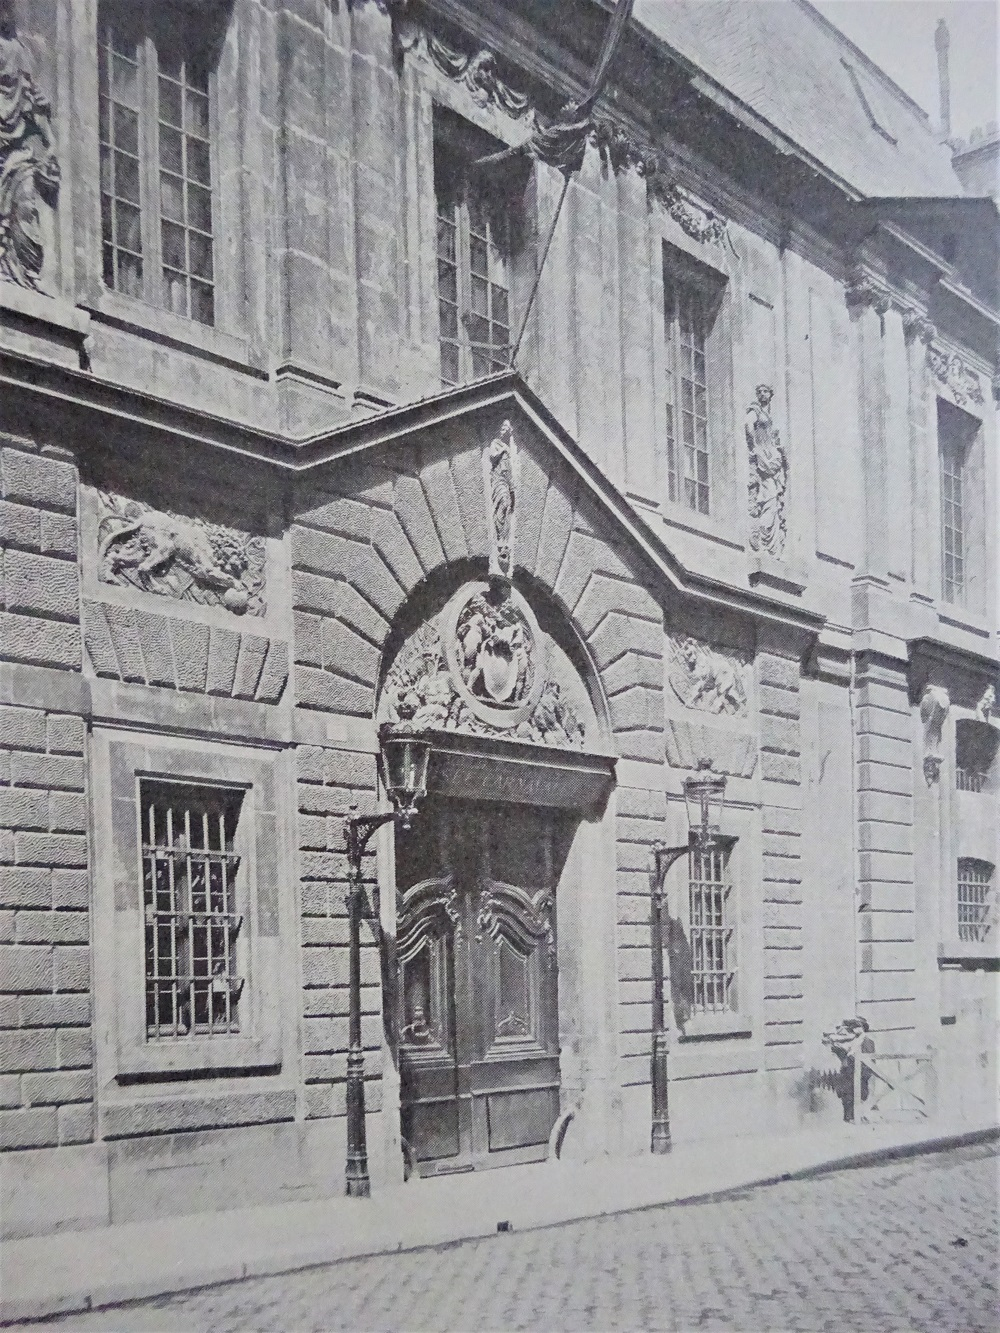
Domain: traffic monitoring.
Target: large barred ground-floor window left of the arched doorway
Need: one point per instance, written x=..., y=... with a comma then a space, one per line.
x=191, y=876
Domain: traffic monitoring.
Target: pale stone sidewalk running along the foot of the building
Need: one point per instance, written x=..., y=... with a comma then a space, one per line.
x=85, y=1270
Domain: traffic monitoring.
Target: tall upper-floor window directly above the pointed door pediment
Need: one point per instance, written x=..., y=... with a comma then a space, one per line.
x=475, y=245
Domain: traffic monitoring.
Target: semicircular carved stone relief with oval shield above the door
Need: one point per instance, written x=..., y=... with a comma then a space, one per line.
x=482, y=667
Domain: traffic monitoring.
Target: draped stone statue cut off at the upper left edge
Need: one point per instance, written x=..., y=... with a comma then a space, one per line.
x=29, y=163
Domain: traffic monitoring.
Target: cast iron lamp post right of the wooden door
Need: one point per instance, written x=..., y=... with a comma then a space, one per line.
x=703, y=798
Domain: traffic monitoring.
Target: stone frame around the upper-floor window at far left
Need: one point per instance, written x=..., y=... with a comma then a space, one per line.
x=231, y=339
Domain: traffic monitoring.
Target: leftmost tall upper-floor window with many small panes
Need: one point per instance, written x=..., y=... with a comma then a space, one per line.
x=157, y=161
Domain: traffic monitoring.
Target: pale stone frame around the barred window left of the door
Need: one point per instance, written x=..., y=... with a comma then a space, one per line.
x=130, y=762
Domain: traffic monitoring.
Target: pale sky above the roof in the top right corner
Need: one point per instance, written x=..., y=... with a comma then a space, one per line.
x=899, y=35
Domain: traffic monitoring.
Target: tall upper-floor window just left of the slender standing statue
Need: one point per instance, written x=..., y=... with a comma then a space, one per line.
x=690, y=310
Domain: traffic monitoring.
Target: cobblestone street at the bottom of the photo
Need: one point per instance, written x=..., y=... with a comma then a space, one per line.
x=909, y=1246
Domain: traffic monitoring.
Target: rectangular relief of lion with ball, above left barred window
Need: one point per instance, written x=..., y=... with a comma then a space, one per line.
x=181, y=558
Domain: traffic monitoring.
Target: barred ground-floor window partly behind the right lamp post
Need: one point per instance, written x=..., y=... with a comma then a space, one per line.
x=713, y=932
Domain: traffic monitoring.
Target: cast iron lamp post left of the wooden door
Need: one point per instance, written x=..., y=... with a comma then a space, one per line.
x=405, y=763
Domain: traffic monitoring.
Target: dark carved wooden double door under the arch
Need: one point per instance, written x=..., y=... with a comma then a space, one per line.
x=478, y=983
